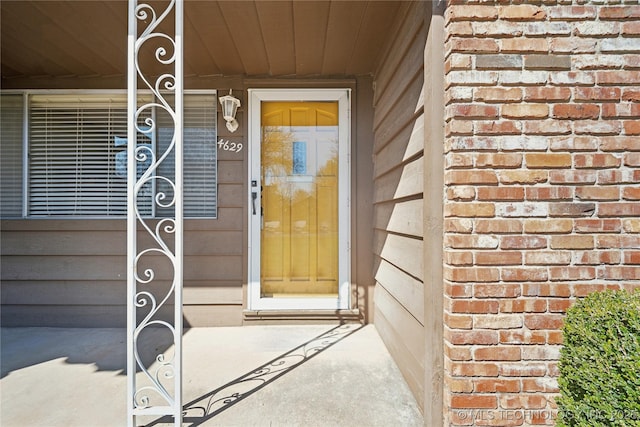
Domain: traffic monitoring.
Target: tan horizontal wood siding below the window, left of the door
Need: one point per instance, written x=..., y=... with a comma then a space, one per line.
x=73, y=272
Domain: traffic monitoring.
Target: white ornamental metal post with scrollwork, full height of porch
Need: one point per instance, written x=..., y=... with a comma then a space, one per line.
x=157, y=389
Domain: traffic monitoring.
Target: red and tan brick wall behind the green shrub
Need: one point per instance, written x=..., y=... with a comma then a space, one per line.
x=542, y=189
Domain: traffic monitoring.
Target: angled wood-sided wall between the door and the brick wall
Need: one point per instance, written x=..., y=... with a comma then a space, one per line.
x=398, y=196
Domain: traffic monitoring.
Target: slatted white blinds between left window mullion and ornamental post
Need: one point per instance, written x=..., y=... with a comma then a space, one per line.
x=72, y=155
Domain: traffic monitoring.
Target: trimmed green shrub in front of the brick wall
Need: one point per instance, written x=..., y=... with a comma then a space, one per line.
x=600, y=362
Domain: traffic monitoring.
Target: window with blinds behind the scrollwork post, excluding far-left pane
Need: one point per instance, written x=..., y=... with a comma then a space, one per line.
x=78, y=156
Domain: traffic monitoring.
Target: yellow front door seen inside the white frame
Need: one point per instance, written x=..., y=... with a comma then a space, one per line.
x=299, y=177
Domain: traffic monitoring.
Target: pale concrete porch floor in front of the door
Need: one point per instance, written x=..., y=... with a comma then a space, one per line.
x=317, y=375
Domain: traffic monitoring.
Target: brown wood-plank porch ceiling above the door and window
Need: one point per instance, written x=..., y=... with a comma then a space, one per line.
x=54, y=39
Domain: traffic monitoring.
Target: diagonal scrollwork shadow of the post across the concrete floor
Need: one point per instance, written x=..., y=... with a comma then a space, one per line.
x=207, y=406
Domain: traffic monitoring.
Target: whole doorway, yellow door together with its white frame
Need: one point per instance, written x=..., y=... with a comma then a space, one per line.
x=299, y=199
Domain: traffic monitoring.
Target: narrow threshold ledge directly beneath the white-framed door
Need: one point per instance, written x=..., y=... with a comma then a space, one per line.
x=303, y=316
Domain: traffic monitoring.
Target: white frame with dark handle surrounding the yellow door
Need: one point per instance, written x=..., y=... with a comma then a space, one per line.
x=342, y=302
